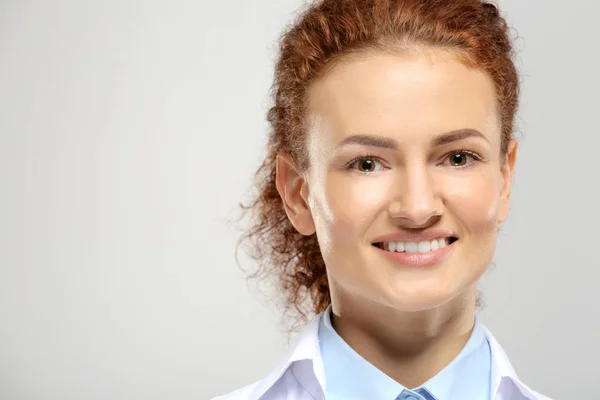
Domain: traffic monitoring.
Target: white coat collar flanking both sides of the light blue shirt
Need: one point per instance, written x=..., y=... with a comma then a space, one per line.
x=305, y=358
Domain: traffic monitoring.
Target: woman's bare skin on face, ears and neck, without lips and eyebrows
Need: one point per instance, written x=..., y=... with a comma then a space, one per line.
x=408, y=321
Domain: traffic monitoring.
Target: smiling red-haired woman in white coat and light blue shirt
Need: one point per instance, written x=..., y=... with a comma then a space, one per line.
x=388, y=173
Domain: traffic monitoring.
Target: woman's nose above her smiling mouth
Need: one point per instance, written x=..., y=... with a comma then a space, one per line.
x=417, y=201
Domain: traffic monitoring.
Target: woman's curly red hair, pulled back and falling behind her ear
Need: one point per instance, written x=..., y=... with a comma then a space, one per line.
x=325, y=33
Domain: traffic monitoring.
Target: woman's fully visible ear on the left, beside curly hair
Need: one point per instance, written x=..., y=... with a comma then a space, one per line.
x=293, y=189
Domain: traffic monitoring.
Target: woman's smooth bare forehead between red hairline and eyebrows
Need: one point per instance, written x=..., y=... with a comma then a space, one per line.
x=407, y=97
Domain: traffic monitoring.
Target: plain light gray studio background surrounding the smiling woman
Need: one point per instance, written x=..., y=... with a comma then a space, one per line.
x=129, y=131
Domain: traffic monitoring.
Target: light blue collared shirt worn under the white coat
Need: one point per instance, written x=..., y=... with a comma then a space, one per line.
x=349, y=376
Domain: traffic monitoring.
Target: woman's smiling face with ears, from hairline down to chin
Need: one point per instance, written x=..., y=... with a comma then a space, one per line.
x=406, y=183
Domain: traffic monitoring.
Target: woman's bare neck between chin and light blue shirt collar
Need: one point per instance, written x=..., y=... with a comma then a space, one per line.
x=409, y=347
